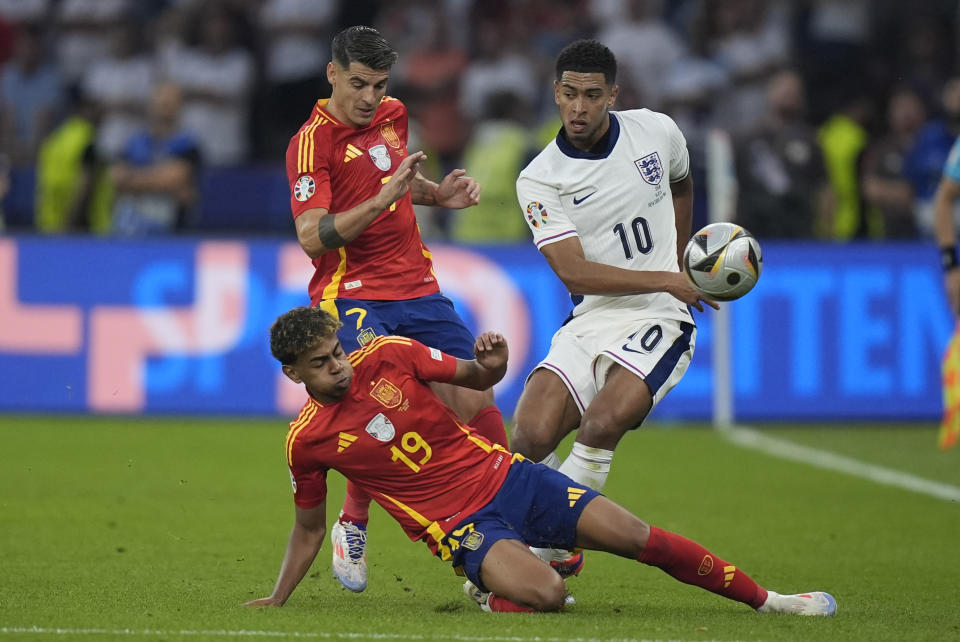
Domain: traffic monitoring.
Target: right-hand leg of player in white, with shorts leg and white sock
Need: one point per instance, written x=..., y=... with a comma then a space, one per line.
x=633, y=374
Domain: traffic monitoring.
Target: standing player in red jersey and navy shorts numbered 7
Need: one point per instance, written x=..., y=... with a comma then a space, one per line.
x=353, y=186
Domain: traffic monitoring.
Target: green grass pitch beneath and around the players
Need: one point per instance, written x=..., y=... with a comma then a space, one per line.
x=164, y=528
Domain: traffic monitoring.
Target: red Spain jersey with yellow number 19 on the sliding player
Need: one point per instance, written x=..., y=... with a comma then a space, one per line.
x=394, y=438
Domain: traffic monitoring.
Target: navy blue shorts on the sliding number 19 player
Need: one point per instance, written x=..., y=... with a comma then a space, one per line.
x=536, y=505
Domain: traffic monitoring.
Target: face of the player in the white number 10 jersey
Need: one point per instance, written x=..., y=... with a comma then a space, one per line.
x=584, y=100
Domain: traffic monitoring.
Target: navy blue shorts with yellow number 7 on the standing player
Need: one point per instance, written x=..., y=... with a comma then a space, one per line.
x=432, y=320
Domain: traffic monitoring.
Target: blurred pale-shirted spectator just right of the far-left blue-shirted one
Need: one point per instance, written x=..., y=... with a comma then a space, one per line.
x=121, y=83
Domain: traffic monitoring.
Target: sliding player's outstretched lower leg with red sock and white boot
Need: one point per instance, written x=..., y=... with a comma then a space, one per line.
x=607, y=526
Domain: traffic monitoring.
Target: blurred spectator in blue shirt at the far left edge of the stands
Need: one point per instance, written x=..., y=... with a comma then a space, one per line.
x=31, y=98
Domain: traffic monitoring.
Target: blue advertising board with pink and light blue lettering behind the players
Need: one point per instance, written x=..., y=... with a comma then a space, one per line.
x=180, y=326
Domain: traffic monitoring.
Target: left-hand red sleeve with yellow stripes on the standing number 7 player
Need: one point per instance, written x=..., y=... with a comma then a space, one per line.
x=308, y=172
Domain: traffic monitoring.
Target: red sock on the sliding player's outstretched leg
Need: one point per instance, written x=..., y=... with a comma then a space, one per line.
x=691, y=563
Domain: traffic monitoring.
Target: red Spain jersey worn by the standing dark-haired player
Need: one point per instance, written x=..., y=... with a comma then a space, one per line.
x=334, y=166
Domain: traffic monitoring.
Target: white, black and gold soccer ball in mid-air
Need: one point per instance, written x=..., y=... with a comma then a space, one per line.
x=723, y=261
